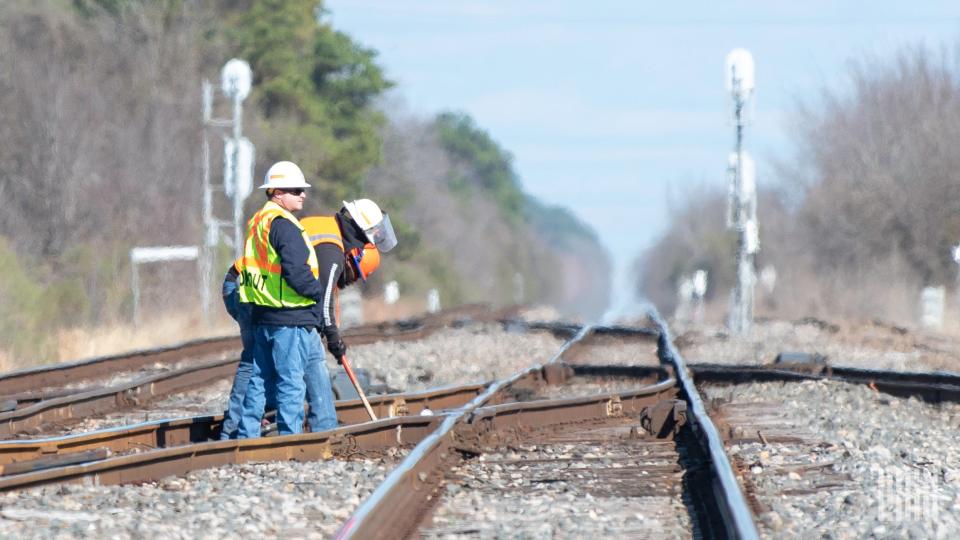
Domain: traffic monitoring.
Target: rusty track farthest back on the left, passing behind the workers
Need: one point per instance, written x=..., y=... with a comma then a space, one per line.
x=148, y=376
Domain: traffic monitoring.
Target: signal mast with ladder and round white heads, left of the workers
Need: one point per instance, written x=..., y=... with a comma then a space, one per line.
x=238, y=160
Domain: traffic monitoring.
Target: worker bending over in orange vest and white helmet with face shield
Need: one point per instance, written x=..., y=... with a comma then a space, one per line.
x=345, y=254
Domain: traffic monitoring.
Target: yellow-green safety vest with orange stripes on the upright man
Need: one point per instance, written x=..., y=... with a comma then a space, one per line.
x=260, y=281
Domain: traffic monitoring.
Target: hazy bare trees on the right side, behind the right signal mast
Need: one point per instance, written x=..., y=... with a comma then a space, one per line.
x=861, y=216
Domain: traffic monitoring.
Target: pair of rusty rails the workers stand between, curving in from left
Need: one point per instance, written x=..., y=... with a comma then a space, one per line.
x=167, y=459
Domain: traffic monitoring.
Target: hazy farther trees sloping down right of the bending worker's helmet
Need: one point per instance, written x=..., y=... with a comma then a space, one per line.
x=457, y=188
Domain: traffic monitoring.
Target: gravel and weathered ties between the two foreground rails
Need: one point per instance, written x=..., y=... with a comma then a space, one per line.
x=608, y=474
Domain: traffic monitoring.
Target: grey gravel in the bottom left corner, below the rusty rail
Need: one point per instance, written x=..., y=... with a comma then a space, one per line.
x=253, y=500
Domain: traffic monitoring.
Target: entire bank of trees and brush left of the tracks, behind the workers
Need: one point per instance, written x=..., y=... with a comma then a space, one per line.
x=101, y=152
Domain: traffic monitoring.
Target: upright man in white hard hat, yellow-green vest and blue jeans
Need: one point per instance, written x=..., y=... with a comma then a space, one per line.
x=278, y=277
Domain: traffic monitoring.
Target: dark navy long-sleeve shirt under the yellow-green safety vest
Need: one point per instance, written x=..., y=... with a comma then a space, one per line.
x=293, y=252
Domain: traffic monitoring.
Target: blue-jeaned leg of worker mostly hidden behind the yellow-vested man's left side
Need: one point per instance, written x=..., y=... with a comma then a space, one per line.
x=240, y=313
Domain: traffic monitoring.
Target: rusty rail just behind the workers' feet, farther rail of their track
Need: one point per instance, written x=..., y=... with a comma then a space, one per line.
x=182, y=431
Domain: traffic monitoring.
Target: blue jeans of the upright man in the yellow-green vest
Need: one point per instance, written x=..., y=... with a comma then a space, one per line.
x=280, y=356
